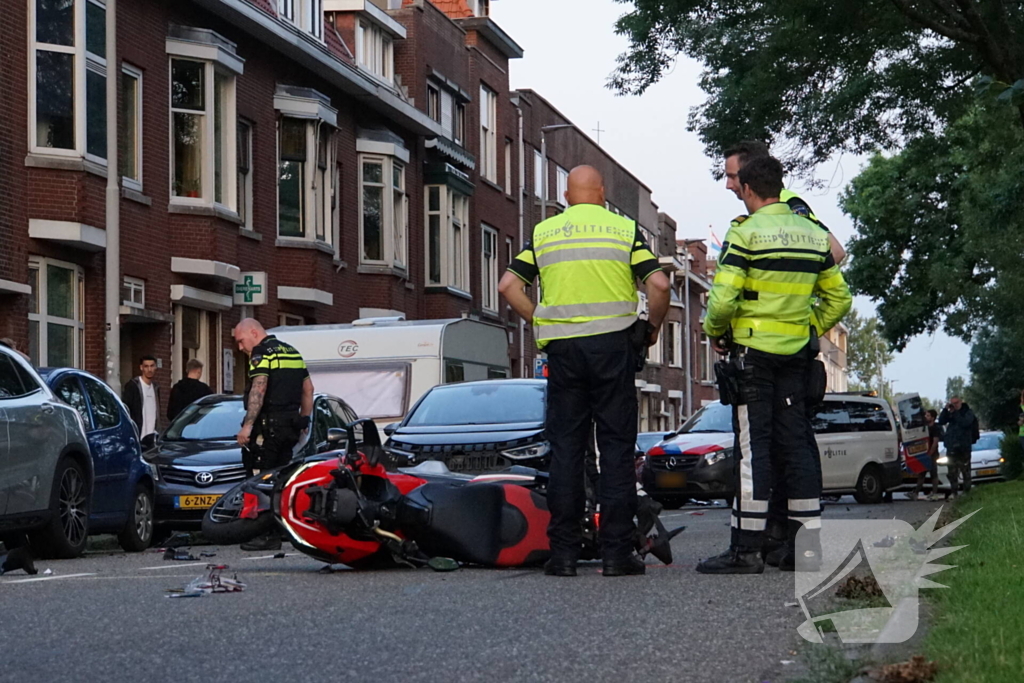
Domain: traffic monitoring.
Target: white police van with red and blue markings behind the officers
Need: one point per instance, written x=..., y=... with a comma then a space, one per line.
x=861, y=444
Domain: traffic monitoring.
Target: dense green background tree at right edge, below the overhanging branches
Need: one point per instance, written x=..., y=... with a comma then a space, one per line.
x=941, y=232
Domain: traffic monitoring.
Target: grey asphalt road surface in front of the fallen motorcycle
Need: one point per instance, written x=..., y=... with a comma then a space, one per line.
x=106, y=618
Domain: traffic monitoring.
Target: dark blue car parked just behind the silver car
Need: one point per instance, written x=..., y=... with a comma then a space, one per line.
x=123, y=483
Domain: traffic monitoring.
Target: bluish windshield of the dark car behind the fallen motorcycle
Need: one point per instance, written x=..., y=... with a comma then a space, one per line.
x=488, y=404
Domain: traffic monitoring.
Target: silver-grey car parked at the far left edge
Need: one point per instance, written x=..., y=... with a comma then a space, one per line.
x=46, y=464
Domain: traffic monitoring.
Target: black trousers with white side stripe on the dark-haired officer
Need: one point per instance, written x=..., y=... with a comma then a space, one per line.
x=774, y=435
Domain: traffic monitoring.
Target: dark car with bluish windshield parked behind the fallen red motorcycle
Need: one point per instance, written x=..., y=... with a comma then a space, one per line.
x=476, y=428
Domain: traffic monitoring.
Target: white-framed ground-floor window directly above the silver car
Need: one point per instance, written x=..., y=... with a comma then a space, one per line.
x=57, y=325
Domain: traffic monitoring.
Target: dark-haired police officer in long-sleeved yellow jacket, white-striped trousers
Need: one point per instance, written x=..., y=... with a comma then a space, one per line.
x=778, y=288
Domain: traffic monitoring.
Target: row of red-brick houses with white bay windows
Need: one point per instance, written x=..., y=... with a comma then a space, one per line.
x=338, y=159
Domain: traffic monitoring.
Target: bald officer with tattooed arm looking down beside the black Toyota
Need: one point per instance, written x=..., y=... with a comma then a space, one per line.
x=279, y=404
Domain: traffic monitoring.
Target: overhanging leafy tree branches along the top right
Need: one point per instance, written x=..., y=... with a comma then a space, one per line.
x=829, y=77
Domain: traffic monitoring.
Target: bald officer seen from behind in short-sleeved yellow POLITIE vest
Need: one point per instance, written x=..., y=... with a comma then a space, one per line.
x=589, y=261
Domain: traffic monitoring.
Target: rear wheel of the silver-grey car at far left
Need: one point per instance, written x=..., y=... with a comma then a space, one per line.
x=67, y=532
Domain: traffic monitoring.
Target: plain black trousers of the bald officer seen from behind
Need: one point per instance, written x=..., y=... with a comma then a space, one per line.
x=591, y=383
